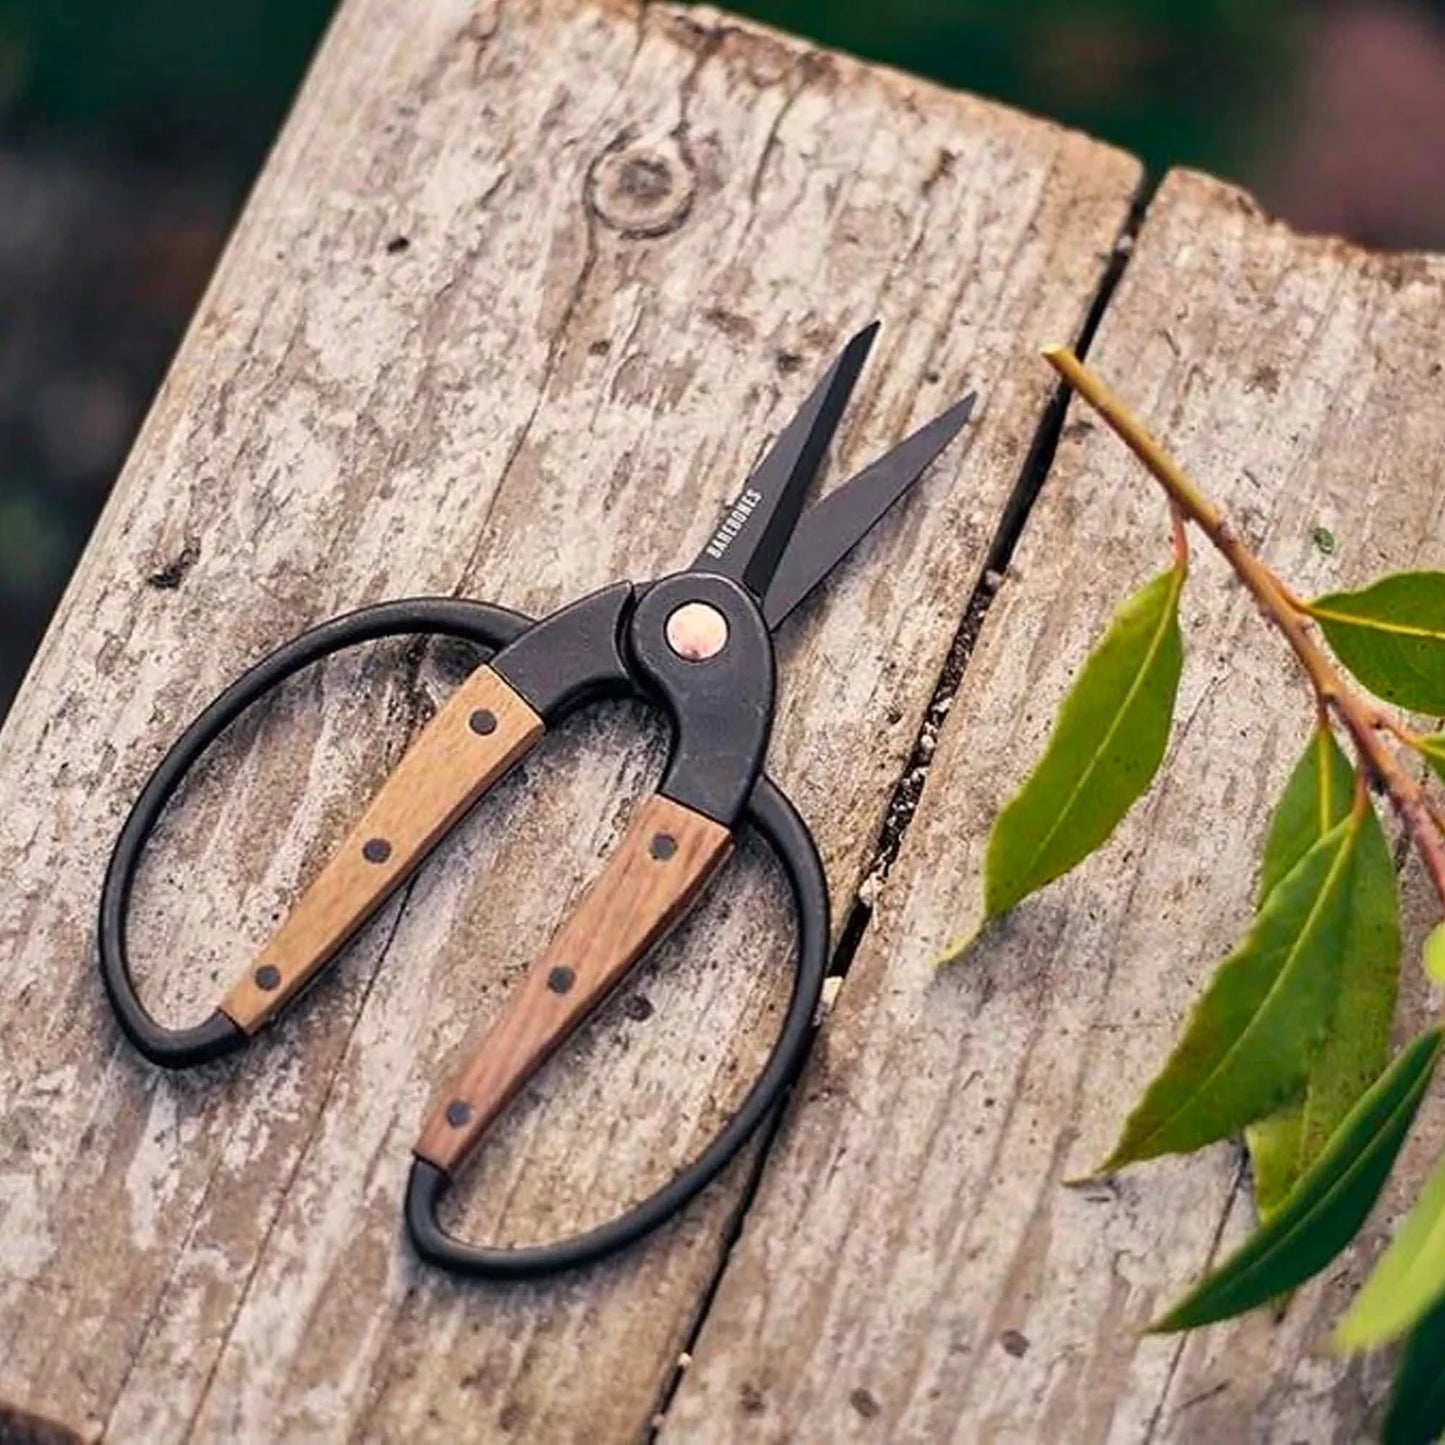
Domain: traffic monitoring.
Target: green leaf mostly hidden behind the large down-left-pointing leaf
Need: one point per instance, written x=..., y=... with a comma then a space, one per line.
x=1358, y=1041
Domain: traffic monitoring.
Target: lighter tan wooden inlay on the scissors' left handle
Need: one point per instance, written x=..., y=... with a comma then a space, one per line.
x=479, y=735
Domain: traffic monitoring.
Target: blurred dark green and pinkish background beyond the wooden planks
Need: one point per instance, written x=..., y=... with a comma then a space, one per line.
x=131, y=134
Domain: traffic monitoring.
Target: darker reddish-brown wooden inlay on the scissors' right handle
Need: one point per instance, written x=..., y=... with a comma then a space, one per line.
x=658, y=871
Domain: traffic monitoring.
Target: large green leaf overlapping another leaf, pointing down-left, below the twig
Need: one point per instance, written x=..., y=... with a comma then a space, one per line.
x=1249, y=1043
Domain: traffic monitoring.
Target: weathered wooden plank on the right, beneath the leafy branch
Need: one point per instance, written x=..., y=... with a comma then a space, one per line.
x=913, y=1268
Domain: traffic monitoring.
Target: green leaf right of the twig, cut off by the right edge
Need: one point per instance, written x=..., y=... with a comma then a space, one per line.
x=1392, y=638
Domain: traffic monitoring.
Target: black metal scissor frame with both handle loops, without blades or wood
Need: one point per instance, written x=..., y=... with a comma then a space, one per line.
x=609, y=644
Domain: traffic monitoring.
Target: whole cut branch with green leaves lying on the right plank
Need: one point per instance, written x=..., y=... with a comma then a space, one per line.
x=1290, y=1044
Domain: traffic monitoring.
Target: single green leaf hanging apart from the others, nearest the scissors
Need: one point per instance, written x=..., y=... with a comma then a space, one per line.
x=1106, y=748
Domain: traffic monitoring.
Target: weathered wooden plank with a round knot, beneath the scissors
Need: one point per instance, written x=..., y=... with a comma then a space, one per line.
x=517, y=303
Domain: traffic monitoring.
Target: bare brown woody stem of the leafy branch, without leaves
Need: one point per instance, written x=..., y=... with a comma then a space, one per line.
x=1358, y=716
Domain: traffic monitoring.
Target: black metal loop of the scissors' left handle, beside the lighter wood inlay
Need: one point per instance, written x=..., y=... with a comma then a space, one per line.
x=492, y=628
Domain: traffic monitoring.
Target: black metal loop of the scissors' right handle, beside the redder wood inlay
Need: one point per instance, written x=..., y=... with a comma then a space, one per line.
x=778, y=821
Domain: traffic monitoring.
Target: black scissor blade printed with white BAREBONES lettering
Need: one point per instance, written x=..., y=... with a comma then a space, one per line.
x=754, y=537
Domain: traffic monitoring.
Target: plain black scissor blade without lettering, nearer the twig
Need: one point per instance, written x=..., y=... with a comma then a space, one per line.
x=836, y=525
